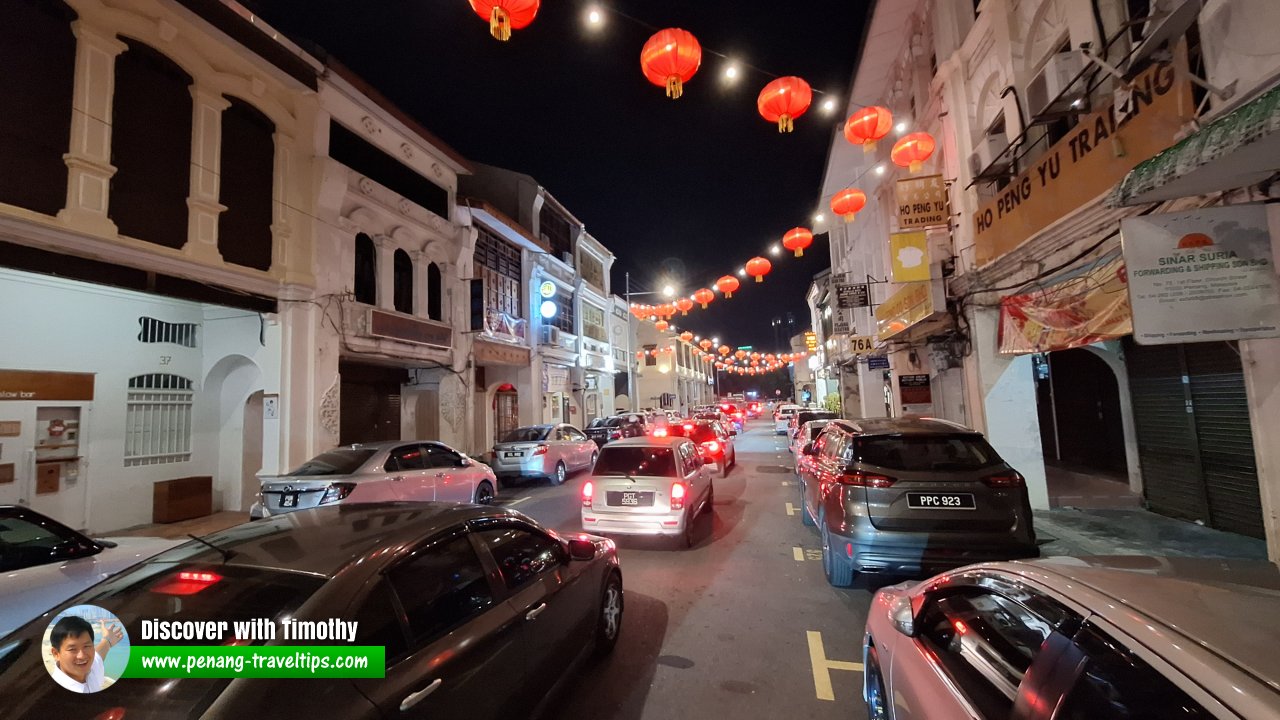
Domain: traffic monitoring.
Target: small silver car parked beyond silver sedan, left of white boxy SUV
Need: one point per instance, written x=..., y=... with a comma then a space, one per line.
x=543, y=452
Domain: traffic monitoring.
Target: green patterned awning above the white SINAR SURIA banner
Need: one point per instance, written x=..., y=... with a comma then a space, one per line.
x=1237, y=151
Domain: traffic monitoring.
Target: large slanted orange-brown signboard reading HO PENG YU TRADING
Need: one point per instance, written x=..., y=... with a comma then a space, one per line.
x=1090, y=161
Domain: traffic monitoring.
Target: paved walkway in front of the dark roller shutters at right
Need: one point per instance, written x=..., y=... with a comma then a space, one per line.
x=1072, y=531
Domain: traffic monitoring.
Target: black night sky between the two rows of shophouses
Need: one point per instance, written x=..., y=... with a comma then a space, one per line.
x=692, y=188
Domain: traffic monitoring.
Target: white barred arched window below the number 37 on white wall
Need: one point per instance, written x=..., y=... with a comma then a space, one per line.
x=158, y=421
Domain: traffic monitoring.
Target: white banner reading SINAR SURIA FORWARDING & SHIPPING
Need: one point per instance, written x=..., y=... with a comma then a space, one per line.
x=1203, y=276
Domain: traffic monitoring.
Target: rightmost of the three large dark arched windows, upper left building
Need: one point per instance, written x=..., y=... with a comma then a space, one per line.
x=248, y=188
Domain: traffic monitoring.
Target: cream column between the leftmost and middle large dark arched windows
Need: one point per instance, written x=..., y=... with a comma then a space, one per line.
x=89, y=158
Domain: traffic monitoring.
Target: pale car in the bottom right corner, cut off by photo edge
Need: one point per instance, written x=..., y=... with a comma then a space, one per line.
x=1073, y=639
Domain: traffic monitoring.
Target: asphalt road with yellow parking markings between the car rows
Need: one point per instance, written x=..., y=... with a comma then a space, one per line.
x=742, y=626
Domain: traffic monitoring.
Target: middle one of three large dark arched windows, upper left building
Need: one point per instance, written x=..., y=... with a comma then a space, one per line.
x=150, y=147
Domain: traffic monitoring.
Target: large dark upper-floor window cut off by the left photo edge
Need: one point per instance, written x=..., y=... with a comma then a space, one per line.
x=38, y=53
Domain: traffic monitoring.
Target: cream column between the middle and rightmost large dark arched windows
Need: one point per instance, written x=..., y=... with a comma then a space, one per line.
x=207, y=144
